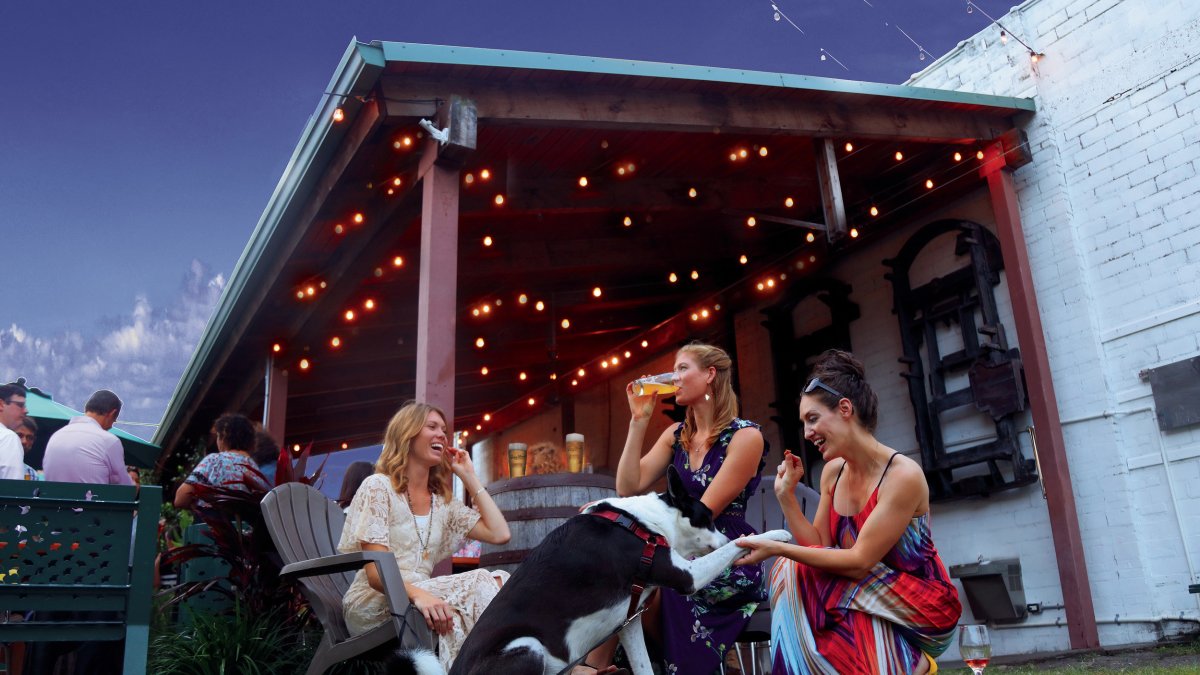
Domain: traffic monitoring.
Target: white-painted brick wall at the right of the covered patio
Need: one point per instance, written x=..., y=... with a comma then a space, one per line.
x=1112, y=214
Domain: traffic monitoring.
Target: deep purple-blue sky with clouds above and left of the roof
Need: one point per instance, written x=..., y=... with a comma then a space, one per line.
x=140, y=142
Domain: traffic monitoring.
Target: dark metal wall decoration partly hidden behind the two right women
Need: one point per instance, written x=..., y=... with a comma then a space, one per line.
x=791, y=354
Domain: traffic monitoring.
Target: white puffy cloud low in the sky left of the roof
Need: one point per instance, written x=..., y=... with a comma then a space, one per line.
x=141, y=355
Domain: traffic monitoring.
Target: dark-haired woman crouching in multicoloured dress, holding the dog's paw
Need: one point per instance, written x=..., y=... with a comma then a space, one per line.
x=863, y=590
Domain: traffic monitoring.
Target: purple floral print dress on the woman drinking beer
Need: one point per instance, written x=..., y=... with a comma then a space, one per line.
x=699, y=630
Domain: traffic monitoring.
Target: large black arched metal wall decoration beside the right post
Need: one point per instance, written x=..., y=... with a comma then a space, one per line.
x=997, y=380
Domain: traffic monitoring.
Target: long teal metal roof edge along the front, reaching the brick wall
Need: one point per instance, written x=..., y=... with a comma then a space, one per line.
x=412, y=52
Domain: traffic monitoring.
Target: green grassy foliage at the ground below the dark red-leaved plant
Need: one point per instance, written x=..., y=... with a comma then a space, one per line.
x=247, y=643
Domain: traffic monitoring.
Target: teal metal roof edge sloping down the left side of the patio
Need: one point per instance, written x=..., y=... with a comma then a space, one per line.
x=356, y=75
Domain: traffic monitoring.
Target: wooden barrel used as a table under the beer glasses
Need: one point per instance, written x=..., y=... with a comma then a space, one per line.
x=537, y=505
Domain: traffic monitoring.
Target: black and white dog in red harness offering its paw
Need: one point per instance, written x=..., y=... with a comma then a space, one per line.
x=587, y=577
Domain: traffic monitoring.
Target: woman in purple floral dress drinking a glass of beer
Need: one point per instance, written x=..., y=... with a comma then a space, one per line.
x=719, y=457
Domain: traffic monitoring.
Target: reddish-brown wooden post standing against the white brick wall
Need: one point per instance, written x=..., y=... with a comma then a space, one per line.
x=1069, y=543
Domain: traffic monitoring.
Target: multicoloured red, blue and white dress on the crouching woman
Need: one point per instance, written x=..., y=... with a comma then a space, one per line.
x=827, y=624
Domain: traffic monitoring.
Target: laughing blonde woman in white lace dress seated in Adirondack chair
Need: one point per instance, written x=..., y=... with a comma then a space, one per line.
x=407, y=509
